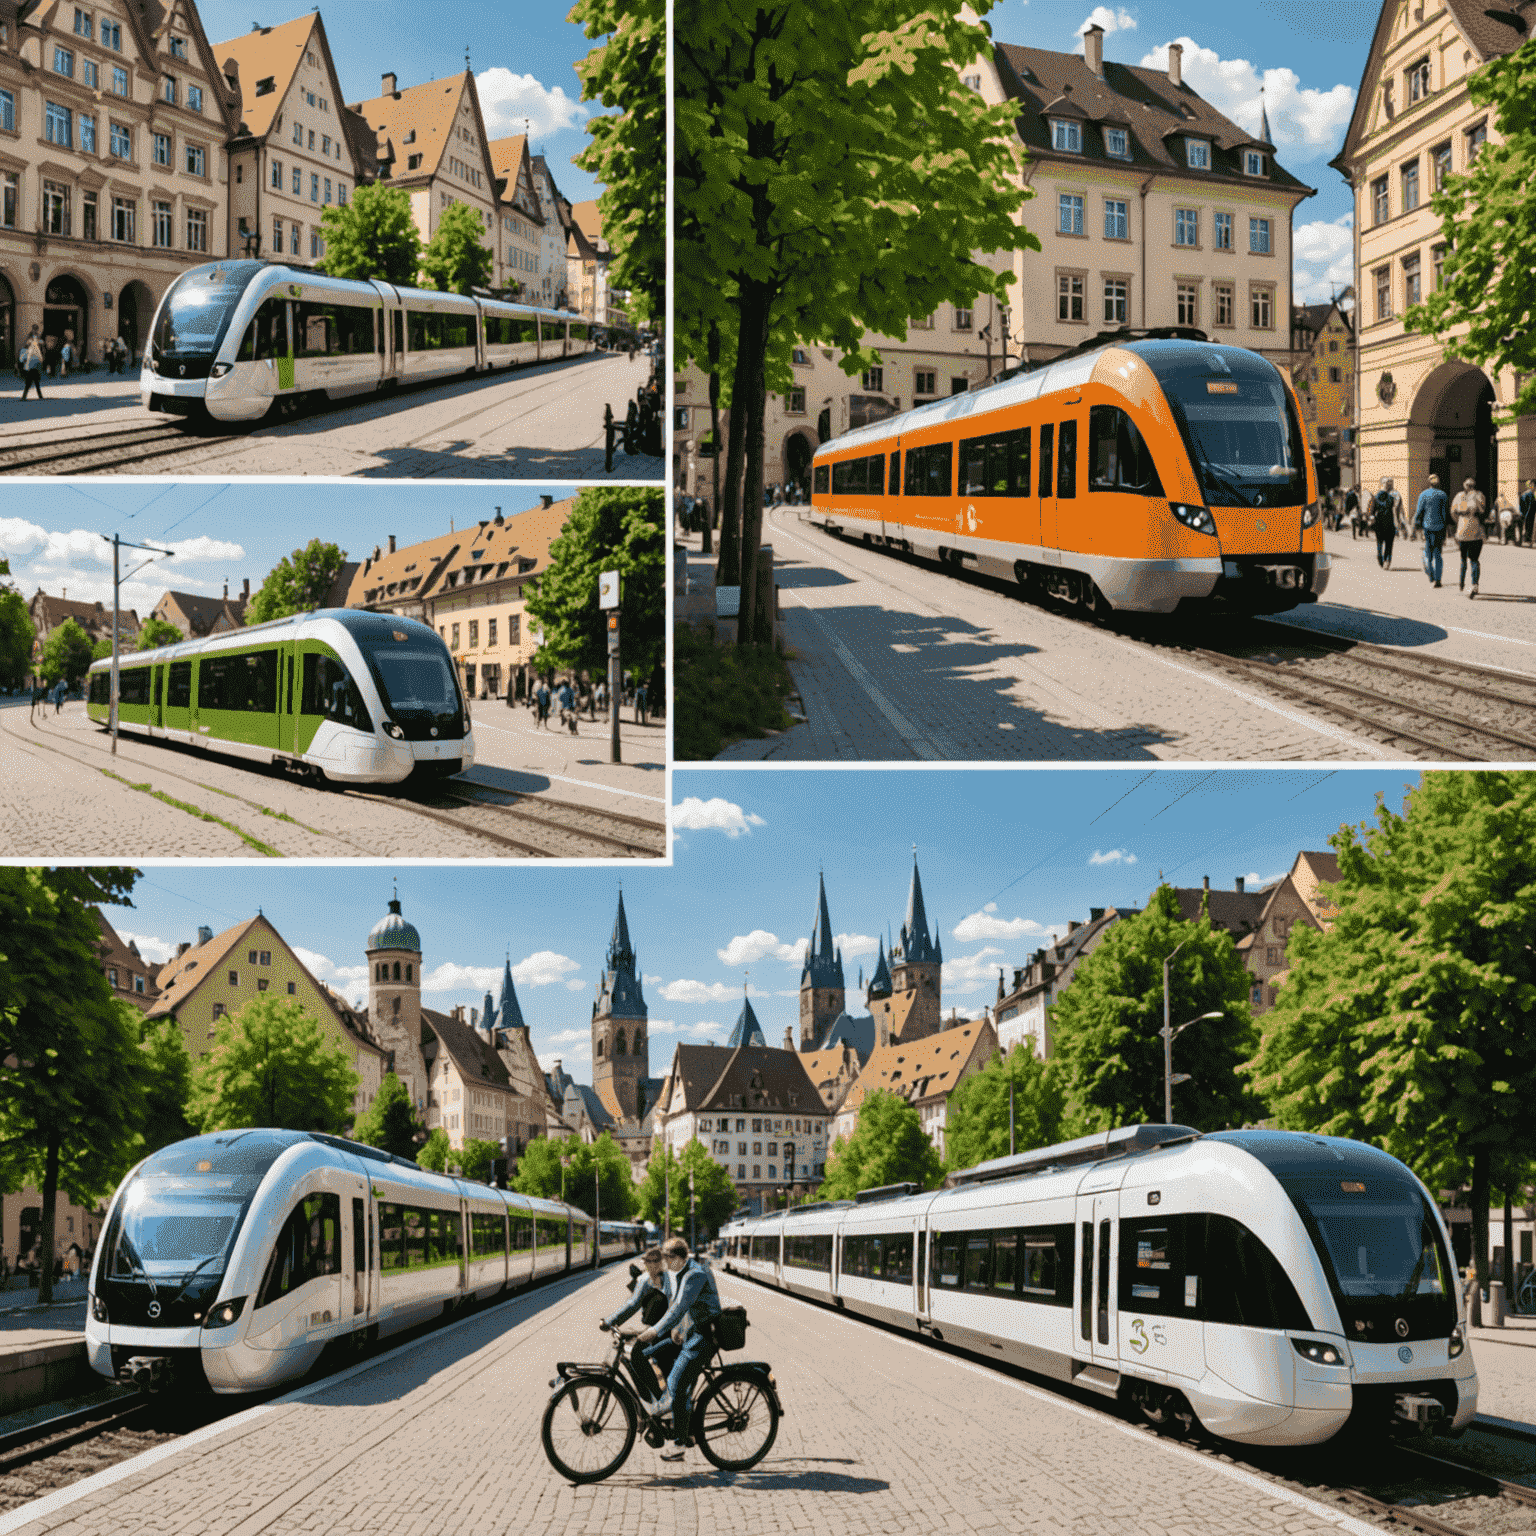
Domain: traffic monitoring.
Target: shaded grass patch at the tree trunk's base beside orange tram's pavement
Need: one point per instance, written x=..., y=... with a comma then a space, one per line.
x=726, y=694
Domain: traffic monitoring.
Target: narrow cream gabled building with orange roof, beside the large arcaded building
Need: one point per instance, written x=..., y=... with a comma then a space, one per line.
x=293, y=157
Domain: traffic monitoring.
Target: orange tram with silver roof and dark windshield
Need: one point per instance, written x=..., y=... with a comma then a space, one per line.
x=1134, y=474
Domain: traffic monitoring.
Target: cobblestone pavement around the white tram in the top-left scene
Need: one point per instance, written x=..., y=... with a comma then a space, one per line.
x=543, y=423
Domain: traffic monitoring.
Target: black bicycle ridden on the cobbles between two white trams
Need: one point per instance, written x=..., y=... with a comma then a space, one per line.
x=594, y=1414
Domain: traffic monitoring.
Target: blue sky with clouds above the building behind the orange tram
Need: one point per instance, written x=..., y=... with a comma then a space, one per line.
x=1308, y=56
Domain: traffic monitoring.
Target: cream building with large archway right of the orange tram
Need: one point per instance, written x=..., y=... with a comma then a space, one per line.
x=1418, y=411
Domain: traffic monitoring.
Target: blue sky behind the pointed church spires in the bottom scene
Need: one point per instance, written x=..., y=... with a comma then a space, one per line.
x=1007, y=858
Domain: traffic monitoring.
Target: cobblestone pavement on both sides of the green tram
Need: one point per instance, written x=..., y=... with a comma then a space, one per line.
x=58, y=801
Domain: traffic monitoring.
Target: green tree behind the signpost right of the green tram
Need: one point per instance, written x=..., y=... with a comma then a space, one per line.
x=609, y=529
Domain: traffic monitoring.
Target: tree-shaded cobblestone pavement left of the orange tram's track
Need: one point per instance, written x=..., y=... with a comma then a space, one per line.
x=896, y=661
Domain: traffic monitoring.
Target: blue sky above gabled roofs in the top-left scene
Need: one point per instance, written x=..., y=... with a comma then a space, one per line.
x=523, y=59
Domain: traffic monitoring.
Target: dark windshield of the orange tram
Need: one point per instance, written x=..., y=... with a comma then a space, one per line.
x=1239, y=425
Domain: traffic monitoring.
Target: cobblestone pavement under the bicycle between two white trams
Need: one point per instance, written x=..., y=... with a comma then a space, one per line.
x=879, y=1437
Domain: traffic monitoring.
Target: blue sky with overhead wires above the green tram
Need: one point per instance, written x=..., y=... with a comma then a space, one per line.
x=53, y=534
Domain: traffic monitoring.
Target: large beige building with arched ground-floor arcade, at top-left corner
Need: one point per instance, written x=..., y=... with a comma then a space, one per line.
x=113, y=168
